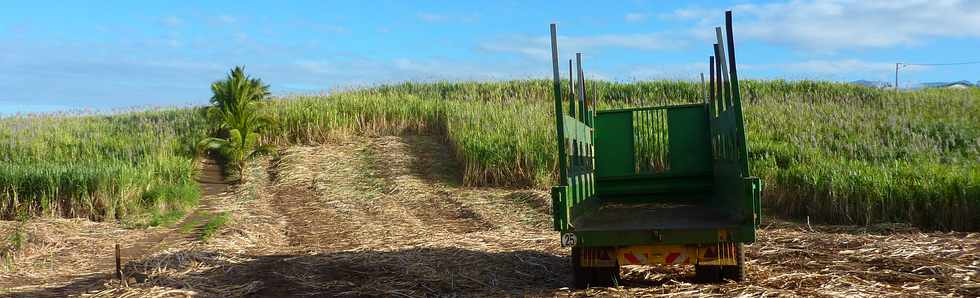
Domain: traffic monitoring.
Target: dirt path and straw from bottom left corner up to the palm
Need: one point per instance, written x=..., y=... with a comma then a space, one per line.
x=70, y=256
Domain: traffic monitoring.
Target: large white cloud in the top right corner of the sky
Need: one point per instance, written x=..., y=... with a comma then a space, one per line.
x=829, y=25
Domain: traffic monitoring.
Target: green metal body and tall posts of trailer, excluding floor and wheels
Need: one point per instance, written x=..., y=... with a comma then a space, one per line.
x=657, y=152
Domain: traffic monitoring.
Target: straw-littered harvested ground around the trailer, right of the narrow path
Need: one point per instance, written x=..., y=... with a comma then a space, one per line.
x=387, y=217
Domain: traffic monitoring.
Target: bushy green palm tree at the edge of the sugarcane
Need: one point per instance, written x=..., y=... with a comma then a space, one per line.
x=235, y=111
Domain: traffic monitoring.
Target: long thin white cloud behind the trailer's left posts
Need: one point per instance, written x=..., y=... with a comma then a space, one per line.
x=540, y=47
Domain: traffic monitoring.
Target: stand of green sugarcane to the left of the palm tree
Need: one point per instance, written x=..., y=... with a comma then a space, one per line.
x=133, y=166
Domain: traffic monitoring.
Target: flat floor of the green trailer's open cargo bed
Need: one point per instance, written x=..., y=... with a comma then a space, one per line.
x=618, y=216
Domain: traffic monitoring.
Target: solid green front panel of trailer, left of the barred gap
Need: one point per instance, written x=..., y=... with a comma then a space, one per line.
x=614, y=144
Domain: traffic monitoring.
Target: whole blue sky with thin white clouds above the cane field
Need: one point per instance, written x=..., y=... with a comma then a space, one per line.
x=115, y=54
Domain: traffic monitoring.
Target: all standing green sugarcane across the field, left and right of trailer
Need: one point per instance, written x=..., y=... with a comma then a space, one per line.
x=833, y=152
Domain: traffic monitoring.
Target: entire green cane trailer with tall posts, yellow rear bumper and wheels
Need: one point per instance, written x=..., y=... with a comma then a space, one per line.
x=655, y=185
